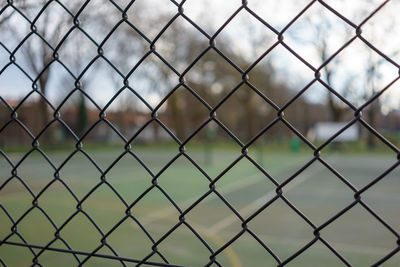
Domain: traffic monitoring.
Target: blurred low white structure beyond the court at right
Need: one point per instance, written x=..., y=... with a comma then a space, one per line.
x=325, y=130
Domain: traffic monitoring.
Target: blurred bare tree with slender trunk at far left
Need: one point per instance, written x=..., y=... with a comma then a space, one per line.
x=38, y=50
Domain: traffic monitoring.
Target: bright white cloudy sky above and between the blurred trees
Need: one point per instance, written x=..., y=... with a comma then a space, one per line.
x=301, y=37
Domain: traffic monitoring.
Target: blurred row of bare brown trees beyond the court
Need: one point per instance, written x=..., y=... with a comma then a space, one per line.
x=75, y=72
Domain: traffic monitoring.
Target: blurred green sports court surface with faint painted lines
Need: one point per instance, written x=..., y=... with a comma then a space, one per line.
x=316, y=192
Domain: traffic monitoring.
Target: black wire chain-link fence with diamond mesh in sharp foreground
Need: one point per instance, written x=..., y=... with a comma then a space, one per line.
x=81, y=257
